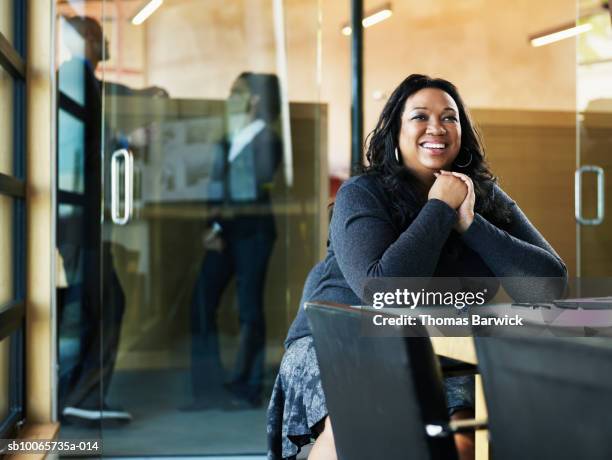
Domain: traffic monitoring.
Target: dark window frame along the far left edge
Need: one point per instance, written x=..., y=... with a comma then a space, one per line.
x=12, y=313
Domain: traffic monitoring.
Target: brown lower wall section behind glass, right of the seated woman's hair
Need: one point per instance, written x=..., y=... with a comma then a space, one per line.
x=534, y=156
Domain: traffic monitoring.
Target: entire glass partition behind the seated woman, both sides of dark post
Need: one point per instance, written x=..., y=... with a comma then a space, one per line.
x=193, y=182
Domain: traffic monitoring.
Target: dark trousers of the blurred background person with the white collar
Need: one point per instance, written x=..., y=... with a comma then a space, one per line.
x=247, y=257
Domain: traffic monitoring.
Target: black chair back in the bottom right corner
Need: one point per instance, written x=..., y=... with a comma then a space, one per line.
x=547, y=397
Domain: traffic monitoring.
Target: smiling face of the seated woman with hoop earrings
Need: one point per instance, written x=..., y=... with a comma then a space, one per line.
x=430, y=135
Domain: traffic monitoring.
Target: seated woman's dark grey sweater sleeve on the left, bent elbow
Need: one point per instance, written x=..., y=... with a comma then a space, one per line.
x=367, y=244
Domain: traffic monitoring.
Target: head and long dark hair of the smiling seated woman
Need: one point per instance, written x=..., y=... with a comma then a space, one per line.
x=425, y=127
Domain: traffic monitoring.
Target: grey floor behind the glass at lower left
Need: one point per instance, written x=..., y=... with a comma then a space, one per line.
x=160, y=429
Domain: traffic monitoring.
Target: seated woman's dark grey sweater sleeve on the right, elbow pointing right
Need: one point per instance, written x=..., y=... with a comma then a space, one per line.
x=521, y=251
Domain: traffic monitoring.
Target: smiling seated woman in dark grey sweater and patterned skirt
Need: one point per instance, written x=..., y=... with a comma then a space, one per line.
x=428, y=206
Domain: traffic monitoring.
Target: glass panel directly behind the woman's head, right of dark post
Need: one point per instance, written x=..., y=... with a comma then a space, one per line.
x=522, y=97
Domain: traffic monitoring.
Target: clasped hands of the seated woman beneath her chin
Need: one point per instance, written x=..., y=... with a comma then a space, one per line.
x=456, y=190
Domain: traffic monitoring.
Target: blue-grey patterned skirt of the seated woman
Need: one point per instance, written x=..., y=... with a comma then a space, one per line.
x=298, y=405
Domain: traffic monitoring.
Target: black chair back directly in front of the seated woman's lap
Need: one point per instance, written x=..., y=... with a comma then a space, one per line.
x=380, y=391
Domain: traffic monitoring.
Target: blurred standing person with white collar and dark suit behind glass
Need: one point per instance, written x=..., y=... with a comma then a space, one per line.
x=238, y=242
